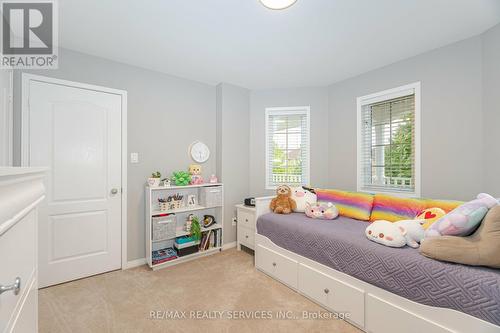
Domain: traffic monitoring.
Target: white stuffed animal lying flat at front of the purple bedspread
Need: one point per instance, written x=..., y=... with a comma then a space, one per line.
x=396, y=234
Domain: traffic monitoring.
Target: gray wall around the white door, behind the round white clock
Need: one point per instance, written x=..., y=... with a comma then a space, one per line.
x=165, y=114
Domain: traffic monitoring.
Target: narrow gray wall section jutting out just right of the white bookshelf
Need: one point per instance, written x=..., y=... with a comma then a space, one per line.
x=233, y=136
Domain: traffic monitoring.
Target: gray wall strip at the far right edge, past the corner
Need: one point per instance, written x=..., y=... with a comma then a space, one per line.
x=491, y=107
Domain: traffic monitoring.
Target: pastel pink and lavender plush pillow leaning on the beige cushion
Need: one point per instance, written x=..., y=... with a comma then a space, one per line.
x=464, y=219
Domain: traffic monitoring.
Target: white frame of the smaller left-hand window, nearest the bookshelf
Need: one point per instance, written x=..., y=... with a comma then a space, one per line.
x=288, y=110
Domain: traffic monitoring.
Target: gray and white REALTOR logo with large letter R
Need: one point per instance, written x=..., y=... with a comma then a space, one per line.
x=29, y=34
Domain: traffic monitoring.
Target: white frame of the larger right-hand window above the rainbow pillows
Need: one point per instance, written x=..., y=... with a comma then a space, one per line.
x=412, y=88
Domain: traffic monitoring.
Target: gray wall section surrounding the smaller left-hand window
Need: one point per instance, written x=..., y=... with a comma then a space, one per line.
x=317, y=99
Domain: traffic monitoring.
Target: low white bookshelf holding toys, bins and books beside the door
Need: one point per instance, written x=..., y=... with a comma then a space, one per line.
x=205, y=205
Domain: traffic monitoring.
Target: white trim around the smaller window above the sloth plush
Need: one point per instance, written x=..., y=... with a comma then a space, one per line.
x=285, y=111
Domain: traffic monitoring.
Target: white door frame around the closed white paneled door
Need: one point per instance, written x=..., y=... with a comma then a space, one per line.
x=25, y=136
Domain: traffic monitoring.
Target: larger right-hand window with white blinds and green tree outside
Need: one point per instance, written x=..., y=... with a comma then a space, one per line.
x=389, y=141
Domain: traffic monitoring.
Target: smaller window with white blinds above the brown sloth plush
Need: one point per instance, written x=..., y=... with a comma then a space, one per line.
x=287, y=146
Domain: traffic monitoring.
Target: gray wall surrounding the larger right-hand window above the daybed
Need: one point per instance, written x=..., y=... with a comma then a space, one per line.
x=452, y=124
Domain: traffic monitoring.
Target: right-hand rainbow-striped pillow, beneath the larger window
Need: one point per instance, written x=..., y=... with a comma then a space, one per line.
x=392, y=209
